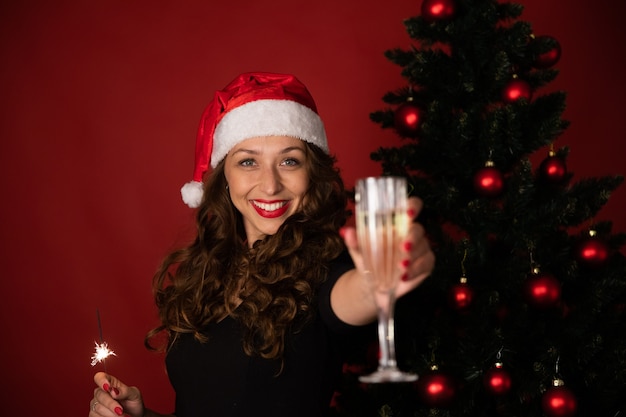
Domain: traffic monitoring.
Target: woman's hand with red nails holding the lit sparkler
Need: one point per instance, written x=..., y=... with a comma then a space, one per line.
x=112, y=397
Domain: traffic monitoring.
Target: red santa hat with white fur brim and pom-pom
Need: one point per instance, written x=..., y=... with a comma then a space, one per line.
x=253, y=105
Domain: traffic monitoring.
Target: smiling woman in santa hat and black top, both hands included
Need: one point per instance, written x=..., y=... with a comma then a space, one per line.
x=260, y=308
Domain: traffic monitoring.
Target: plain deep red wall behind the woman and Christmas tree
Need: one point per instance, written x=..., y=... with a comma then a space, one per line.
x=100, y=104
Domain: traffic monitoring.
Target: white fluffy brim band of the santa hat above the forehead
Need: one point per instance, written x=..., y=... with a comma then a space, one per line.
x=267, y=118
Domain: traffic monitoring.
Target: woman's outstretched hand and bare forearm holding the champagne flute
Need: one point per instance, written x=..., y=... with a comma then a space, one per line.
x=351, y=298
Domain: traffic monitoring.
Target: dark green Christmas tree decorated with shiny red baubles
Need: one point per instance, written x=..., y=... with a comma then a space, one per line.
x=524, y=312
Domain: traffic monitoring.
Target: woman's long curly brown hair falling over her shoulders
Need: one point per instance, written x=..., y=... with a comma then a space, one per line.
x=268, y=288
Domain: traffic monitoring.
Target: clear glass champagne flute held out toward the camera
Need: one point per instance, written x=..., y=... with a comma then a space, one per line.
x=382, y=223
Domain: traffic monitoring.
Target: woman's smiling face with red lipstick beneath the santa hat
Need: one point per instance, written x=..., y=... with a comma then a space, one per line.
x=267, y=179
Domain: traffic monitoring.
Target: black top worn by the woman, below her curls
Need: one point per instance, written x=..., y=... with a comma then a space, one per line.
x=217, y=379
